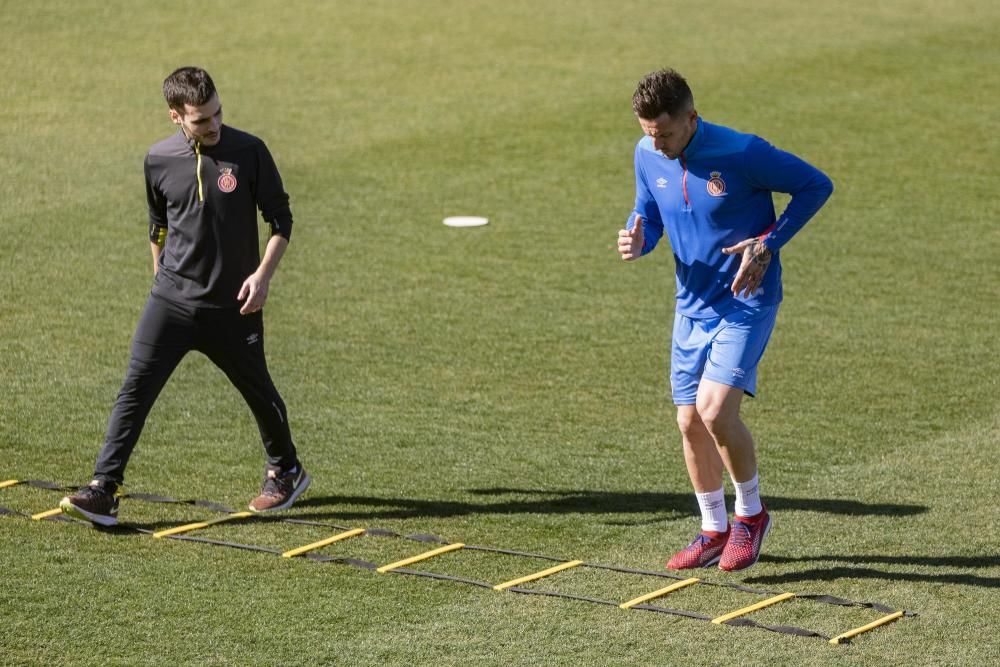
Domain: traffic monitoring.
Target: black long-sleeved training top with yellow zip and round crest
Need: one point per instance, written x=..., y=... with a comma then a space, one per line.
x=206, y=197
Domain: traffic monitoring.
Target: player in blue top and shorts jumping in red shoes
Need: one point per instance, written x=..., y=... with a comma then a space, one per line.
x=710, y=188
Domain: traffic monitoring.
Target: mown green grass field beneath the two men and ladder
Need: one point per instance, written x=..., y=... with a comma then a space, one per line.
x=505, y=386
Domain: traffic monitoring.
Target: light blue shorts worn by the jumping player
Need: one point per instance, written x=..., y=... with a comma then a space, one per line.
x=722, y=349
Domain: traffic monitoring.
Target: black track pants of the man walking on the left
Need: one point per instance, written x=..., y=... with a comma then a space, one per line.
x=165, y=333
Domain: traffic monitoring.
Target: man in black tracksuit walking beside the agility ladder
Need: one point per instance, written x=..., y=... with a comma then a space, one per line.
x=204, y=186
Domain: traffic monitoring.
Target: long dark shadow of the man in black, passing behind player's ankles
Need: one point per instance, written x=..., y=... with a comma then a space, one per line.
x=651, y=507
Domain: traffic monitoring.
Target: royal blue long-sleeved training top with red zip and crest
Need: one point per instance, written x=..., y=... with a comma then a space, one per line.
x=716, y=194
